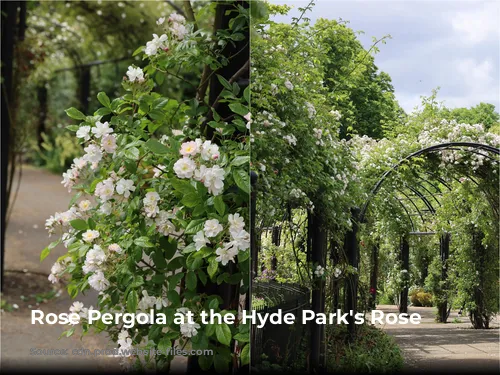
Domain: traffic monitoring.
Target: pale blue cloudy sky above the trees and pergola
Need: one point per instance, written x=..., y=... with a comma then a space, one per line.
x=447, y=43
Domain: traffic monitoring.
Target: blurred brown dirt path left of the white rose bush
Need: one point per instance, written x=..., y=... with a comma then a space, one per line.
x=40, y=195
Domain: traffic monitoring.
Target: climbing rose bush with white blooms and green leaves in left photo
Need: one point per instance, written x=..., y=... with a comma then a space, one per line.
x=158, y=209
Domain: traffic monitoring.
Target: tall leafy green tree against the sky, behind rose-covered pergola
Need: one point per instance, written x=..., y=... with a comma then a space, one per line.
x=363, y=95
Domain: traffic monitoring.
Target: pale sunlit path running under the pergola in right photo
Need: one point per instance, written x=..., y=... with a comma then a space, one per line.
x=452, y=347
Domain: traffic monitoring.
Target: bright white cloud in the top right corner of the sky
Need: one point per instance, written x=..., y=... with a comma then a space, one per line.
x=478, y=24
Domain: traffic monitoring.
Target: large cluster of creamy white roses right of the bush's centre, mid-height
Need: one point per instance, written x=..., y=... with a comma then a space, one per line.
x=195, y=155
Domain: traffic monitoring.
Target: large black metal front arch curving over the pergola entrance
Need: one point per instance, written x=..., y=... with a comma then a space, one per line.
x=462, y=146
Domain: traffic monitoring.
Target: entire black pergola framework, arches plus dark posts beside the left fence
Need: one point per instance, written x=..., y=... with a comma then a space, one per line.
x=418, y=198
